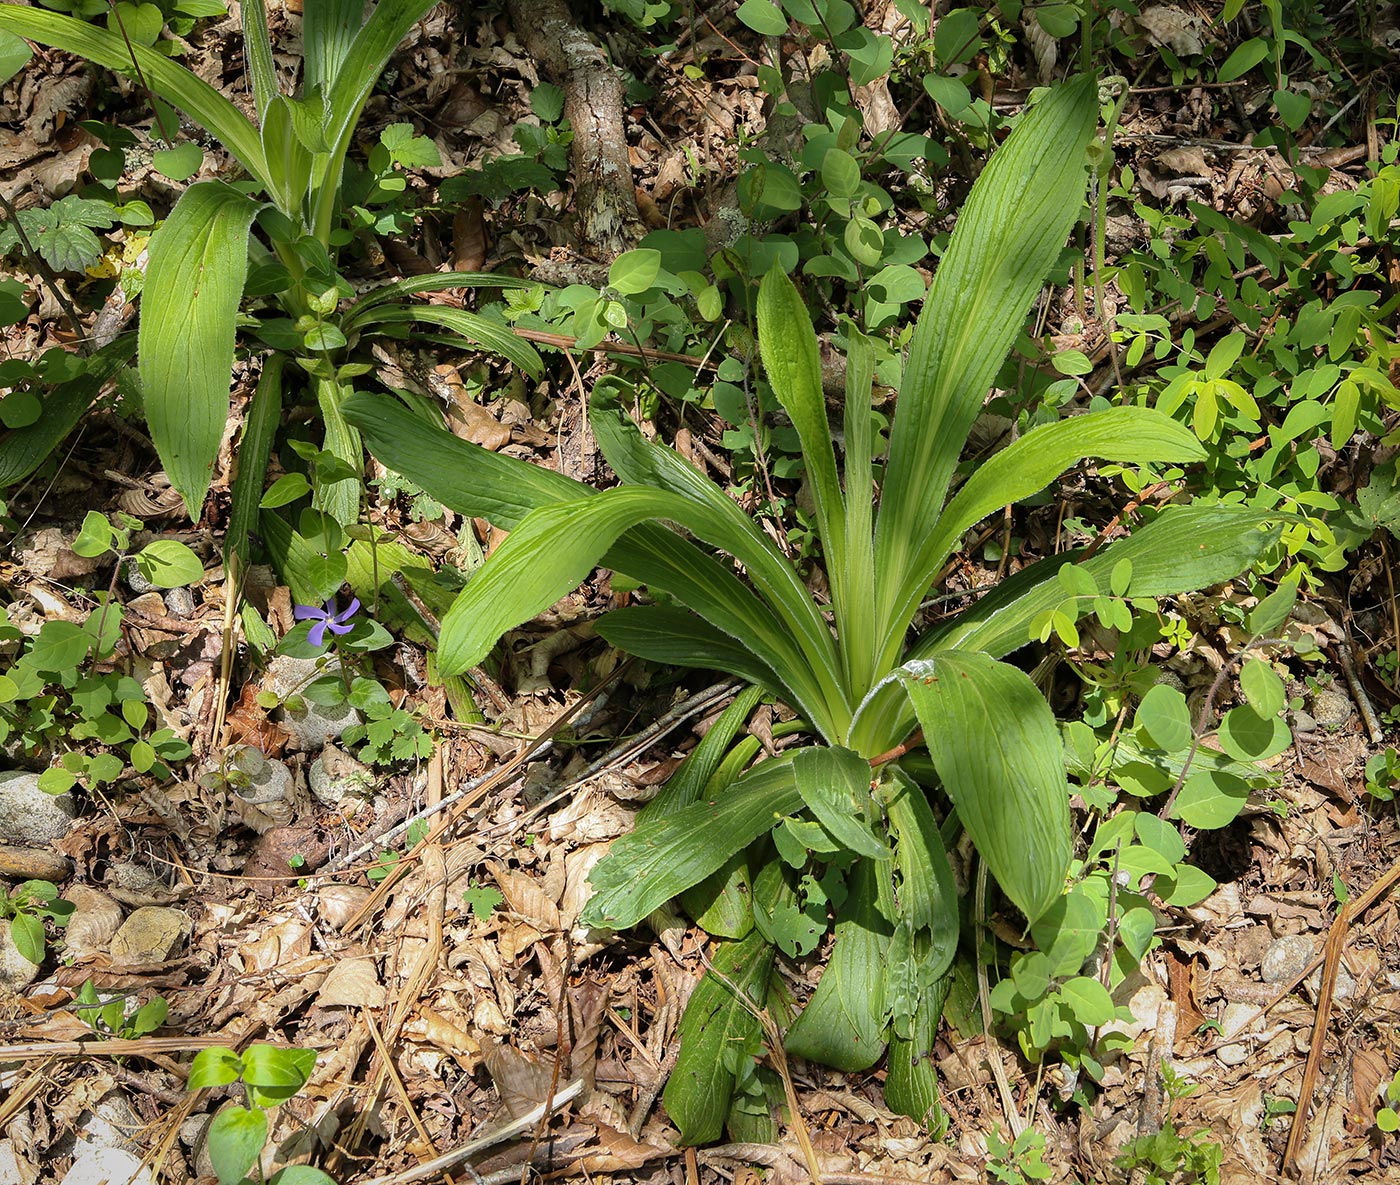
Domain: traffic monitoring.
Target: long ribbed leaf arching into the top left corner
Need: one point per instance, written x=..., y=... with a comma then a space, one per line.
x=170, y=82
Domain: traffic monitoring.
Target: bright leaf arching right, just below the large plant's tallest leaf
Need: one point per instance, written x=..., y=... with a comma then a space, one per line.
x=1137, y=436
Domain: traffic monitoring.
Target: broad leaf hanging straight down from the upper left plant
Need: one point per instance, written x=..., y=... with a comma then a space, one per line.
x=194, y=285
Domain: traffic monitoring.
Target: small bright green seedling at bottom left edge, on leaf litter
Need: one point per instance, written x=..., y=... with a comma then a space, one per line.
x=237, y=1135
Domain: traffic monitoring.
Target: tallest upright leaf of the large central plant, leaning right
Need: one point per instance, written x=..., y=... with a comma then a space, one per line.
x=1007, y=239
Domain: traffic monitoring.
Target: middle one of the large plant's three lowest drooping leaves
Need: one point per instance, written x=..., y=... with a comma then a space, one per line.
x=843, y=1023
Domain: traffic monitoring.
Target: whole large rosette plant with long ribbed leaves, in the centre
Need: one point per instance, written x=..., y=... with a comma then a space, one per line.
x=762, y=852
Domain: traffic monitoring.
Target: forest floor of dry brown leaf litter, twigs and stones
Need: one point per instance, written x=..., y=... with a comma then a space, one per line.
x=442, y=974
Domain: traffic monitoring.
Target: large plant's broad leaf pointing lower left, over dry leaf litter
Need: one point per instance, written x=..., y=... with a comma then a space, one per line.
x=661, y=859
